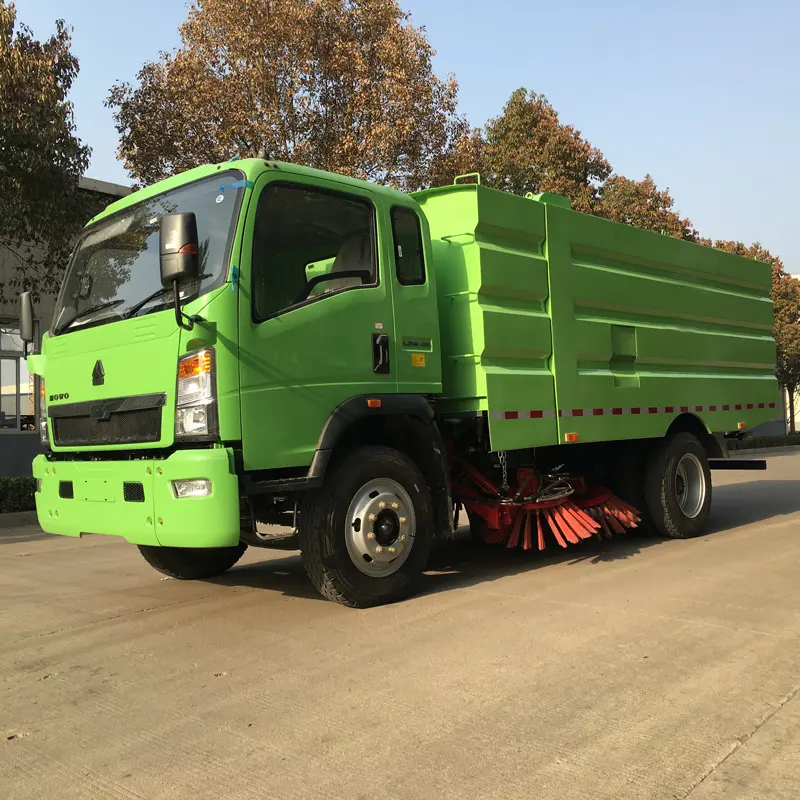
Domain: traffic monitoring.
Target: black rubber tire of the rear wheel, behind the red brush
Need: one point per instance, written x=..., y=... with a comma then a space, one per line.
x=661, y=487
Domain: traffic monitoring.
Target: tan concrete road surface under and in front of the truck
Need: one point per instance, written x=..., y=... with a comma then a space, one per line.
x=654, y=669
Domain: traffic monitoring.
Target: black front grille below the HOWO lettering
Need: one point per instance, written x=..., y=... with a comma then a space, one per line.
x=126, y=420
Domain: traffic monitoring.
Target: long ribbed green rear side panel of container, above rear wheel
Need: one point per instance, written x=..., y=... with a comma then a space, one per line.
x=647, y=327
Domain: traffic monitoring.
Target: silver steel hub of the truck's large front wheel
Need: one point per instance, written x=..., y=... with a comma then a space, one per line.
x=380, y=527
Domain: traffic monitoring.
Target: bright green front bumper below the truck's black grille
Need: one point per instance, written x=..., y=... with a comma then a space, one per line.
x=98, y=504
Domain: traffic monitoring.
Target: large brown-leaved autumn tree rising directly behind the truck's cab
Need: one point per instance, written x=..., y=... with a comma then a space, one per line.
x=342, y=85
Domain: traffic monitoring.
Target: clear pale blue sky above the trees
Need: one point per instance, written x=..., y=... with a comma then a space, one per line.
x=703, y=95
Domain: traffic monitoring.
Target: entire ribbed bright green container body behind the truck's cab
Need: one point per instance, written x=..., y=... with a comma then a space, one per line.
x=558, y=324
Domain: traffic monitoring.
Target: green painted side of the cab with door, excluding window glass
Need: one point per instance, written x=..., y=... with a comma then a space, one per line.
x=296, y=367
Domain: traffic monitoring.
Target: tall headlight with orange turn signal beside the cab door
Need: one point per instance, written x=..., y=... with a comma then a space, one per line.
x=196, y=407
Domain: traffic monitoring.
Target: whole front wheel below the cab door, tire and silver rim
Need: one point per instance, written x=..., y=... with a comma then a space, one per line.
x=366, y=534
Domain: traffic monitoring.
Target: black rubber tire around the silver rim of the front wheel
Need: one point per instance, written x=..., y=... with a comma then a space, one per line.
x=322, y=529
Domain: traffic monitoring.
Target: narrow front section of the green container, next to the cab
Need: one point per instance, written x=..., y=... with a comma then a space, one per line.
x=492, y=286
